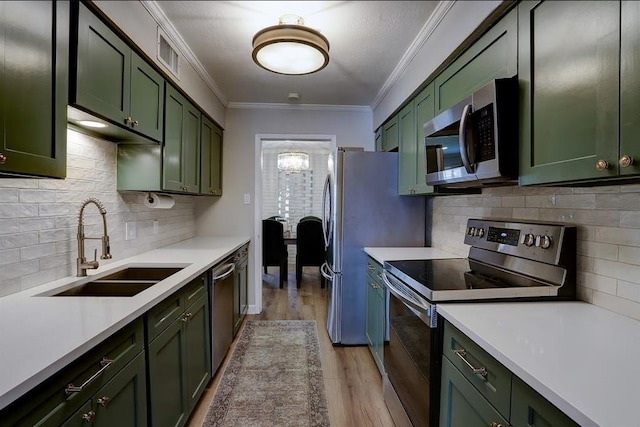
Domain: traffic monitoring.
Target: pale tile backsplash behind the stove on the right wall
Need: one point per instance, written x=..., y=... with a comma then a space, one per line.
x=608, y=220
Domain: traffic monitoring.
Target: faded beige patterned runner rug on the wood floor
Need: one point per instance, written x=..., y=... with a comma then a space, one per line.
x=274, y=378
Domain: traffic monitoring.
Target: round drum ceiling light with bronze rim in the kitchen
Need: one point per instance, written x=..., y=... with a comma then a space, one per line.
x=290, y=47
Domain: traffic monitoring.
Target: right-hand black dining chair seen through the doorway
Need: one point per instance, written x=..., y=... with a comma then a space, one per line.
x=310, y=250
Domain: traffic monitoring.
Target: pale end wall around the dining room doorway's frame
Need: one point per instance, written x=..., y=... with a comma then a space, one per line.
x=228, y=215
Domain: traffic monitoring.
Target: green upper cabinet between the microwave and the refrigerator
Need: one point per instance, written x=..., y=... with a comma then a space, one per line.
x=411, y=148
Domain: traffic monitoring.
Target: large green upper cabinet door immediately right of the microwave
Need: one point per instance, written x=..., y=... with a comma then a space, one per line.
x=568, y=76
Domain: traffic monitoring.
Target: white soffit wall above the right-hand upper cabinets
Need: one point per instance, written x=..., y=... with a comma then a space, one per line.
x=460, y=21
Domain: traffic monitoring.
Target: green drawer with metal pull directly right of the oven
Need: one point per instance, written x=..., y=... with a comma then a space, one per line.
x=494, y=383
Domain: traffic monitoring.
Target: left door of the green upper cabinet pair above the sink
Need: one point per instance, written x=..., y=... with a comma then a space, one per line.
x=103, y=69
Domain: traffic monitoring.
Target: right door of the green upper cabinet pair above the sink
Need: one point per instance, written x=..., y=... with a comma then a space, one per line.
x=147, y=99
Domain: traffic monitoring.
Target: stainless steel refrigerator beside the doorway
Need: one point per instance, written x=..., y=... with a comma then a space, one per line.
x=361, y=208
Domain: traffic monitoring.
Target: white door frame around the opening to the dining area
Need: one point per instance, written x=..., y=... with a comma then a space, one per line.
x=257, y=226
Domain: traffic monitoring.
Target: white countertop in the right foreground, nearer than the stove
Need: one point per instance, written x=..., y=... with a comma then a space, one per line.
x=582, y=358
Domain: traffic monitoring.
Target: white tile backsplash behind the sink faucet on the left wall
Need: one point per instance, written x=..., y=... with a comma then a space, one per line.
x=39, y=217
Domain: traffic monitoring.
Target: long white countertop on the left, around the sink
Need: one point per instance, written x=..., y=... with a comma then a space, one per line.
x=39, y=335
